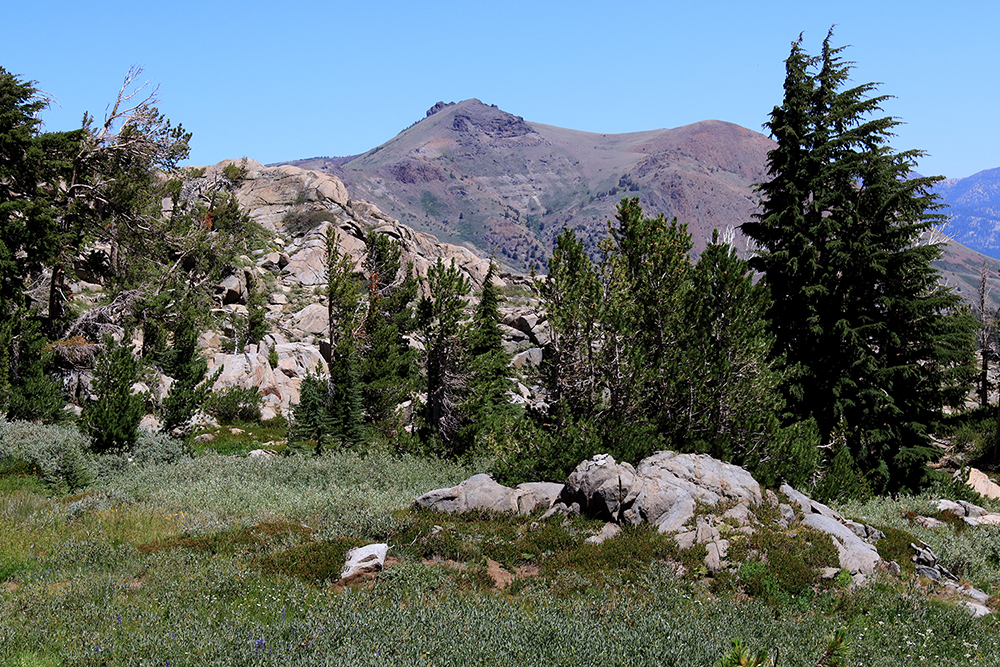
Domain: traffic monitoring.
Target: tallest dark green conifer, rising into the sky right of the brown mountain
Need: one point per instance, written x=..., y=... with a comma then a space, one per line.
x=876, y=346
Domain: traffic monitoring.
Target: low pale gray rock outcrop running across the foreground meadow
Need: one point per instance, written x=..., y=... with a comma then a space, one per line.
x=693, y=496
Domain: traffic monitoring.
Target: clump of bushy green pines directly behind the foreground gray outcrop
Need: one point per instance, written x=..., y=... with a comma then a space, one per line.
x=652, y=351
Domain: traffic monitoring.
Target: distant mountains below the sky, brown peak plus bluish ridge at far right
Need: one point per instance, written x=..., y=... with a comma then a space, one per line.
x=472, y=174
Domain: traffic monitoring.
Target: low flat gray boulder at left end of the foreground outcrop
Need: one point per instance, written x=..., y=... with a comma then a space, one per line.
x=482, y=492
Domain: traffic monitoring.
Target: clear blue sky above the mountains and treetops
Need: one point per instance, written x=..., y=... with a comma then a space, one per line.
x=285, y=80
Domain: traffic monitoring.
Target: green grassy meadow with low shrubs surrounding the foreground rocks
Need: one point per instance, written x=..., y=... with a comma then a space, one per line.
x=225, y=560
